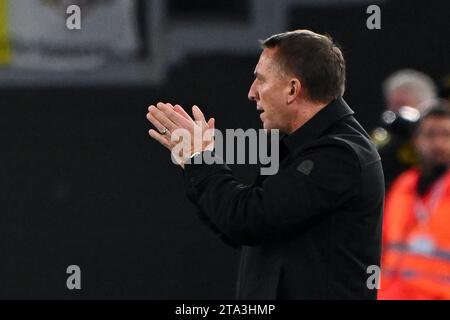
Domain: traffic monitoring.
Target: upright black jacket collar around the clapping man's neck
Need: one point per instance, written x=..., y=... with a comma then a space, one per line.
x=316, y=126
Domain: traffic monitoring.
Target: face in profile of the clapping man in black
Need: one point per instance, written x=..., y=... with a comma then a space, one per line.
x=269, y=90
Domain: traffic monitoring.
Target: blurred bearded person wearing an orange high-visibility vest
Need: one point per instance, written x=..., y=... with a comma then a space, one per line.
x=416, y=240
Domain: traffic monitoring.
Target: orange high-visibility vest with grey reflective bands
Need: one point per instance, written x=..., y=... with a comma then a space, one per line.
x=416, y=240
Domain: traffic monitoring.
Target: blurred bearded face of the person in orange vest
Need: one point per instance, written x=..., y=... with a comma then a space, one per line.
x=433, y=140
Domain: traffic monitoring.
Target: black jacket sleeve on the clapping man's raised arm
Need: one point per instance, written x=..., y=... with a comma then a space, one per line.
x=312, y=187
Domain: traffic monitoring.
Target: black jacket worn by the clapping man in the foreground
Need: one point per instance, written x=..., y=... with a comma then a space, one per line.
x=311, y=230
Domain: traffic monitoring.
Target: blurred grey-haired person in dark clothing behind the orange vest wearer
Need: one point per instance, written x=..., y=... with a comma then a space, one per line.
x=407, y=94
